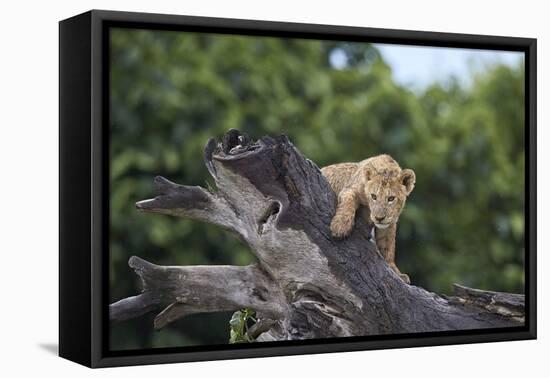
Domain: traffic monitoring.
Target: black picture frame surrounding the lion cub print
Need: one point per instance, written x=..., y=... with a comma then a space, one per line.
x=83, y=180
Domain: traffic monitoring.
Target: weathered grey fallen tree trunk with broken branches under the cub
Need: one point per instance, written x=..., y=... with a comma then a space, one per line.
x=305, y=284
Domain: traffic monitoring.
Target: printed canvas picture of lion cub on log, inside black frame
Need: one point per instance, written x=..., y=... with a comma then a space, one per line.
x=266, y=190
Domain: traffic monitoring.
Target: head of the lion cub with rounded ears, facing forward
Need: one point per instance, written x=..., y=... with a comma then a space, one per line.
x=386, y=192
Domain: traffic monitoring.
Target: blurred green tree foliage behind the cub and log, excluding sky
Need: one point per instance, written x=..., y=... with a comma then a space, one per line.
x=171, y=91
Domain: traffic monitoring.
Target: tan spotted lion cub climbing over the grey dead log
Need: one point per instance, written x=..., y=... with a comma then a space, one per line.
x=379, y=188
